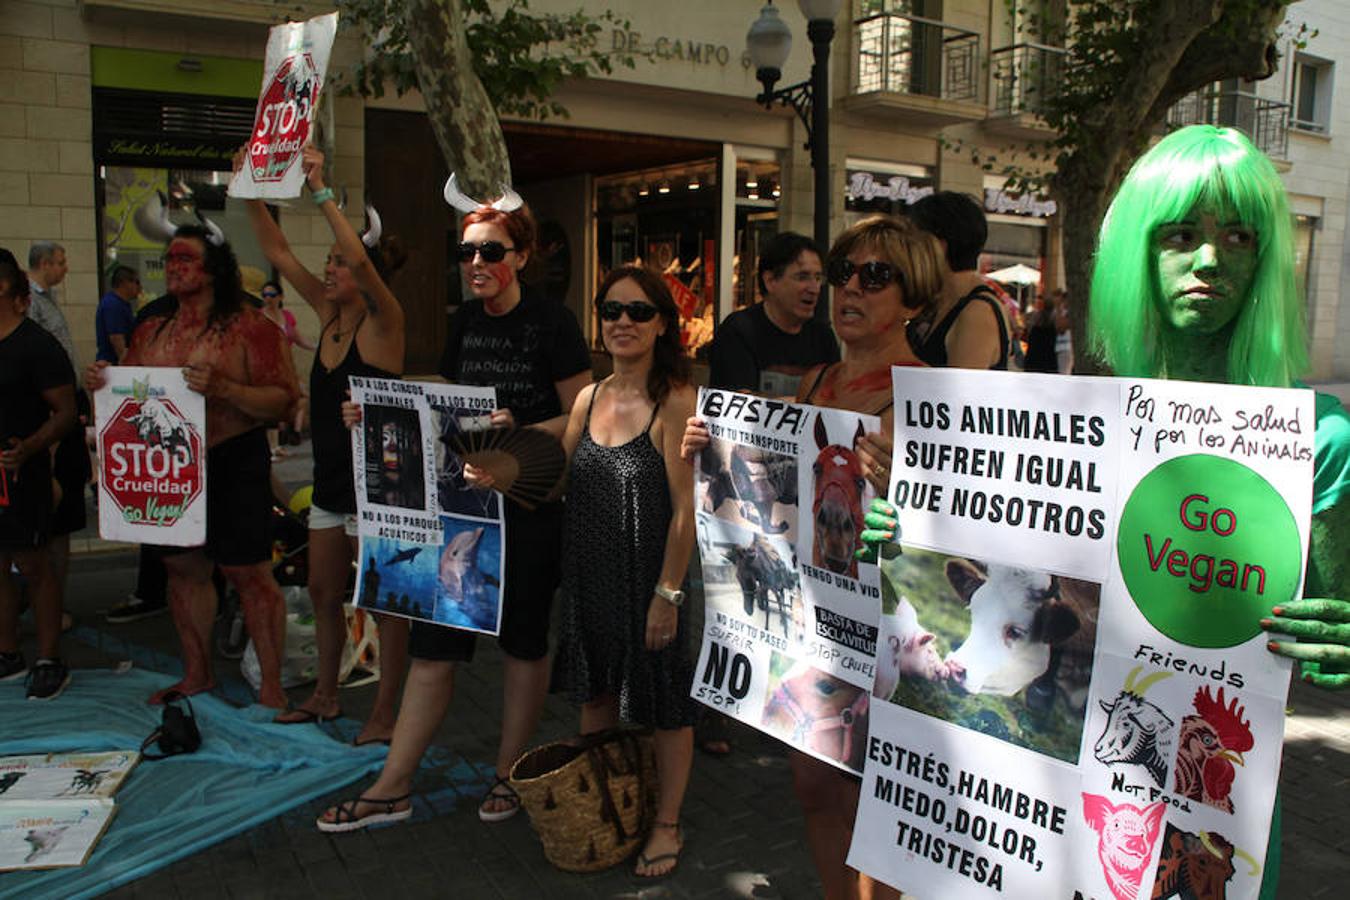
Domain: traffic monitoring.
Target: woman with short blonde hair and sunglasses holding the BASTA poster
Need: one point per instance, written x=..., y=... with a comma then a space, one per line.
x=885, y=272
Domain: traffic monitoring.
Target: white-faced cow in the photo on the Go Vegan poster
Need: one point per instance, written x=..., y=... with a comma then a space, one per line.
x=1029, y=631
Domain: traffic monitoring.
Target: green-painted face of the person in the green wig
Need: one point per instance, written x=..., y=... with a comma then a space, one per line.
x=1205, y=268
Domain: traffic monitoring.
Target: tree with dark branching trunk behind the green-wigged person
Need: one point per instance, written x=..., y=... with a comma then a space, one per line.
x=1125, y=64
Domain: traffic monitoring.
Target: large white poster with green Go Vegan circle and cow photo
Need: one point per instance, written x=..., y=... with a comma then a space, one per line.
x=1085, y=706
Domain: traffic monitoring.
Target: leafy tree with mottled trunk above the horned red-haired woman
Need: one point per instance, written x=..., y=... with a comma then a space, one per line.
x=475, y=60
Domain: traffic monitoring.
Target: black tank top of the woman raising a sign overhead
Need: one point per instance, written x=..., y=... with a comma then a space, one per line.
x=335, y=489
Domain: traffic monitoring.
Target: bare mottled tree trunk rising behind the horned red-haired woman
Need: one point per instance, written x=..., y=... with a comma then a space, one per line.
x=461, y=114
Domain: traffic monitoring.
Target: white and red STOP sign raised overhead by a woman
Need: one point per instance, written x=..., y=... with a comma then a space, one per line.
x=294, y=78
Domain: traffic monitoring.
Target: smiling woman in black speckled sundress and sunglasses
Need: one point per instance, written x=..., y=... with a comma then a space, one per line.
x=628, y=535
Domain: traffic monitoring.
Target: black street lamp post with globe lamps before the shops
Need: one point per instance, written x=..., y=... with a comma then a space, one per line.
x=769, y=44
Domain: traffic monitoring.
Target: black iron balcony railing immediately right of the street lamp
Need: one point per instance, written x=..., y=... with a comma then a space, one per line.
x=908, y=55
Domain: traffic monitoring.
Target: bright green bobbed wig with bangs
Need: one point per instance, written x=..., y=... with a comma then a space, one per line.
x=1191, y=165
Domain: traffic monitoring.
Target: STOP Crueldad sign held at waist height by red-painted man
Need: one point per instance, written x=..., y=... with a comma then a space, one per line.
x=152, y=458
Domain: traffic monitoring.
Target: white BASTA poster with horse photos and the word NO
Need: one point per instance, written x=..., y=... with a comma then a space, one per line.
x=790, y=632
